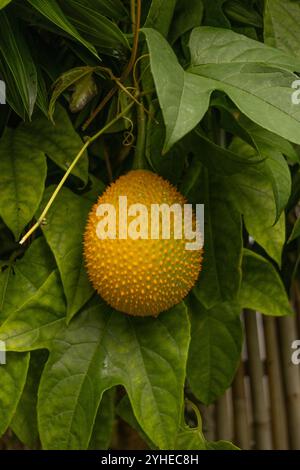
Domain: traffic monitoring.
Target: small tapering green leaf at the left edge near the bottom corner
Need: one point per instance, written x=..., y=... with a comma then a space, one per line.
x=12, y=378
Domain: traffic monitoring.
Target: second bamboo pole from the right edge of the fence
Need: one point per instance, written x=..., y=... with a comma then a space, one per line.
x=276, y=387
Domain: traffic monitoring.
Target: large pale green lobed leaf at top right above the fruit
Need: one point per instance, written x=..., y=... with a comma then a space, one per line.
x=259, y=83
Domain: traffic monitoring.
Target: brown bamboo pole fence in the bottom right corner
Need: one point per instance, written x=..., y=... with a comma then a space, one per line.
x=262, y=408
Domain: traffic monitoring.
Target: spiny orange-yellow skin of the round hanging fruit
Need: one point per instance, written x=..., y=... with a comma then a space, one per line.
x=145, y=276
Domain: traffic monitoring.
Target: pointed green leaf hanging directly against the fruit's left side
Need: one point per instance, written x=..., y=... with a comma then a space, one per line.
x=64, y=230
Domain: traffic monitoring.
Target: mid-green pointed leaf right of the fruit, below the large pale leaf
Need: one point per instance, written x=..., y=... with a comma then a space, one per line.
x=252, y=193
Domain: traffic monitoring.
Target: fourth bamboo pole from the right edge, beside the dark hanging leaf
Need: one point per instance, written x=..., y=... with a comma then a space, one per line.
x=240, y=410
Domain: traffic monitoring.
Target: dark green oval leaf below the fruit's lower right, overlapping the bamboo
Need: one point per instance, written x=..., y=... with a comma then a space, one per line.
x=215, y=348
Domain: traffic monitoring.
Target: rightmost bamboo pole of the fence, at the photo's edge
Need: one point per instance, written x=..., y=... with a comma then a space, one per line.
x=288, y=333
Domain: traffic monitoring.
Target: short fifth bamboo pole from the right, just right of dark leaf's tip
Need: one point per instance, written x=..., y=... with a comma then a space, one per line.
x=224, y=426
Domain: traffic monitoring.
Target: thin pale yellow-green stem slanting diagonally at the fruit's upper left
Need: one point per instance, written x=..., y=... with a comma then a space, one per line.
x=89, y=141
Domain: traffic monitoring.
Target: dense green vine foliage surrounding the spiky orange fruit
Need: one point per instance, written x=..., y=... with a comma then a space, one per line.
x=215, y=117
